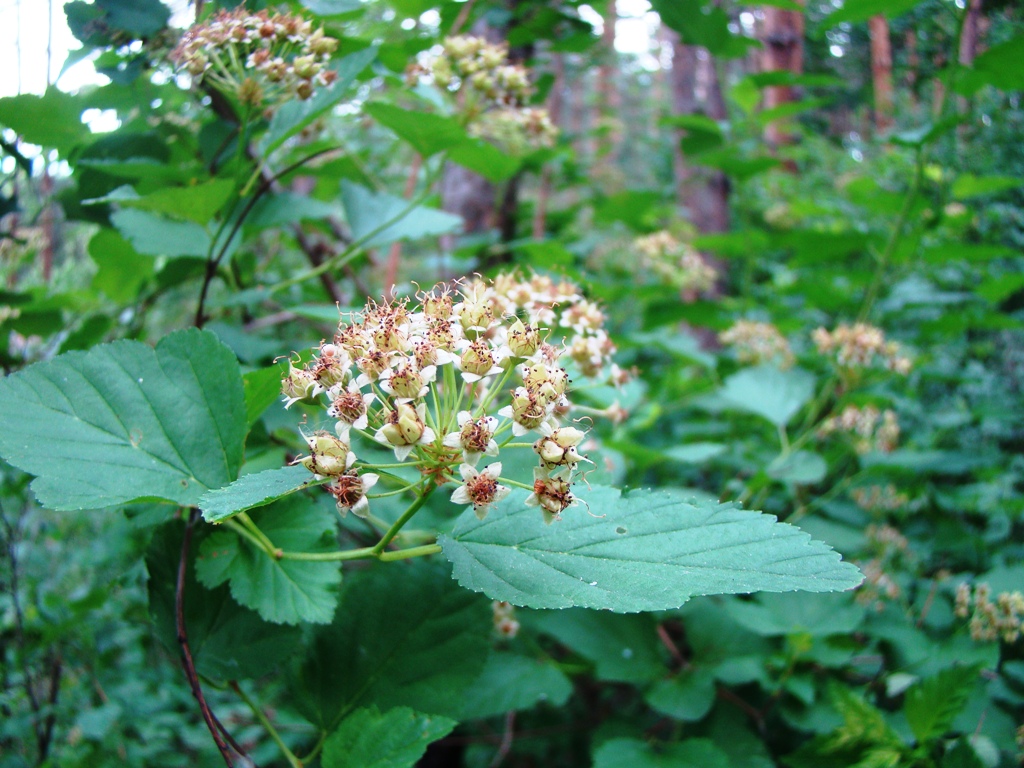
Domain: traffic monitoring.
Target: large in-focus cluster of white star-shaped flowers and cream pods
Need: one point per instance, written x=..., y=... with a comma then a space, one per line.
x=456, y=378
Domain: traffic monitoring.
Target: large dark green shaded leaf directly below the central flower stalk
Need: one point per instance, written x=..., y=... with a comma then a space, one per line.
x=429, y=646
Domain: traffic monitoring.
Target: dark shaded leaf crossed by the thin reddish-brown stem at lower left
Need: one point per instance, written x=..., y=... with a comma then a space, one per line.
x=228, y=643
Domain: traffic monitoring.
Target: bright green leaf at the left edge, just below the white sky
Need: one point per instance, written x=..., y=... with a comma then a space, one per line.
x=54, y=119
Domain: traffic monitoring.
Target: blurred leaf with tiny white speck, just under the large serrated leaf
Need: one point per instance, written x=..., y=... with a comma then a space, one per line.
x=624, y=649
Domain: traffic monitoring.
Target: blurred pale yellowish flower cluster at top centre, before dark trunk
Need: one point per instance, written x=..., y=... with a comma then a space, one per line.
x=492, y=94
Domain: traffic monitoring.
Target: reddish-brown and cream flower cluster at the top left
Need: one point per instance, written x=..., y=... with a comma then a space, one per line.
x=263, y=59
